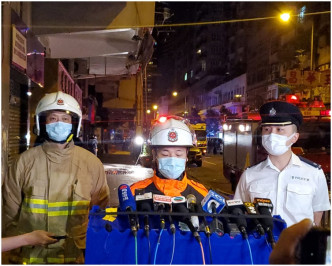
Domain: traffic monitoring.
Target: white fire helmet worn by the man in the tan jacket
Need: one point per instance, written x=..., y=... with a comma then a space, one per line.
x=59, y=101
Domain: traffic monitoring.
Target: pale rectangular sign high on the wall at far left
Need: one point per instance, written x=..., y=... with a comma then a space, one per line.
x=19, y=49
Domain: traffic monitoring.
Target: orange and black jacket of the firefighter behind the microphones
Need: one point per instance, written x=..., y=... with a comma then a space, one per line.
x=170, y=187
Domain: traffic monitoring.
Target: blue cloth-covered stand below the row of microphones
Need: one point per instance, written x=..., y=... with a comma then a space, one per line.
x=114, y=243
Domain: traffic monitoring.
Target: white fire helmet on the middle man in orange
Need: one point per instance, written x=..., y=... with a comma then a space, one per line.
x=172, y=131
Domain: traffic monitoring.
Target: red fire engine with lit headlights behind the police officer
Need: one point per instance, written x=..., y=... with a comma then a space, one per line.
x=242, y=139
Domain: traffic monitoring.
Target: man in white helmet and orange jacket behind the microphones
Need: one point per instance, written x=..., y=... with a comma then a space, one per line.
x=170, y=141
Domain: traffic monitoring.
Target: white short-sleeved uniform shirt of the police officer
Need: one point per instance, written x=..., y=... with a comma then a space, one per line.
x=296, y=192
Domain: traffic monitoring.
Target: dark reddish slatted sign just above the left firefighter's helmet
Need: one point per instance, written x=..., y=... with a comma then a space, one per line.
x=67, y=84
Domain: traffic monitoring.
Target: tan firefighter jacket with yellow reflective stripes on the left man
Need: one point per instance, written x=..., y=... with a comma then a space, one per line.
x=51, y=189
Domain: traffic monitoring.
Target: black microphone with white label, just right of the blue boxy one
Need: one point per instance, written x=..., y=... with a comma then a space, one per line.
x=237, y=208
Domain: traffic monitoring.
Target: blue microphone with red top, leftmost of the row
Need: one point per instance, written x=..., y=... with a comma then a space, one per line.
x=127, y=204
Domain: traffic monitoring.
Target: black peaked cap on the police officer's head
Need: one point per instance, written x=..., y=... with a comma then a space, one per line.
x=279, y=113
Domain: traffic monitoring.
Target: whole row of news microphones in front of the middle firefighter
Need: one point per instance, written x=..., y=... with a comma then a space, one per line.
x=214, y=214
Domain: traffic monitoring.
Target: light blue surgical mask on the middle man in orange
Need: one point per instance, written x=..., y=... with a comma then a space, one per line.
x=171, y=167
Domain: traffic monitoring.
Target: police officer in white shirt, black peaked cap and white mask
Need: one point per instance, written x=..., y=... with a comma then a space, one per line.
x=296, y=186
